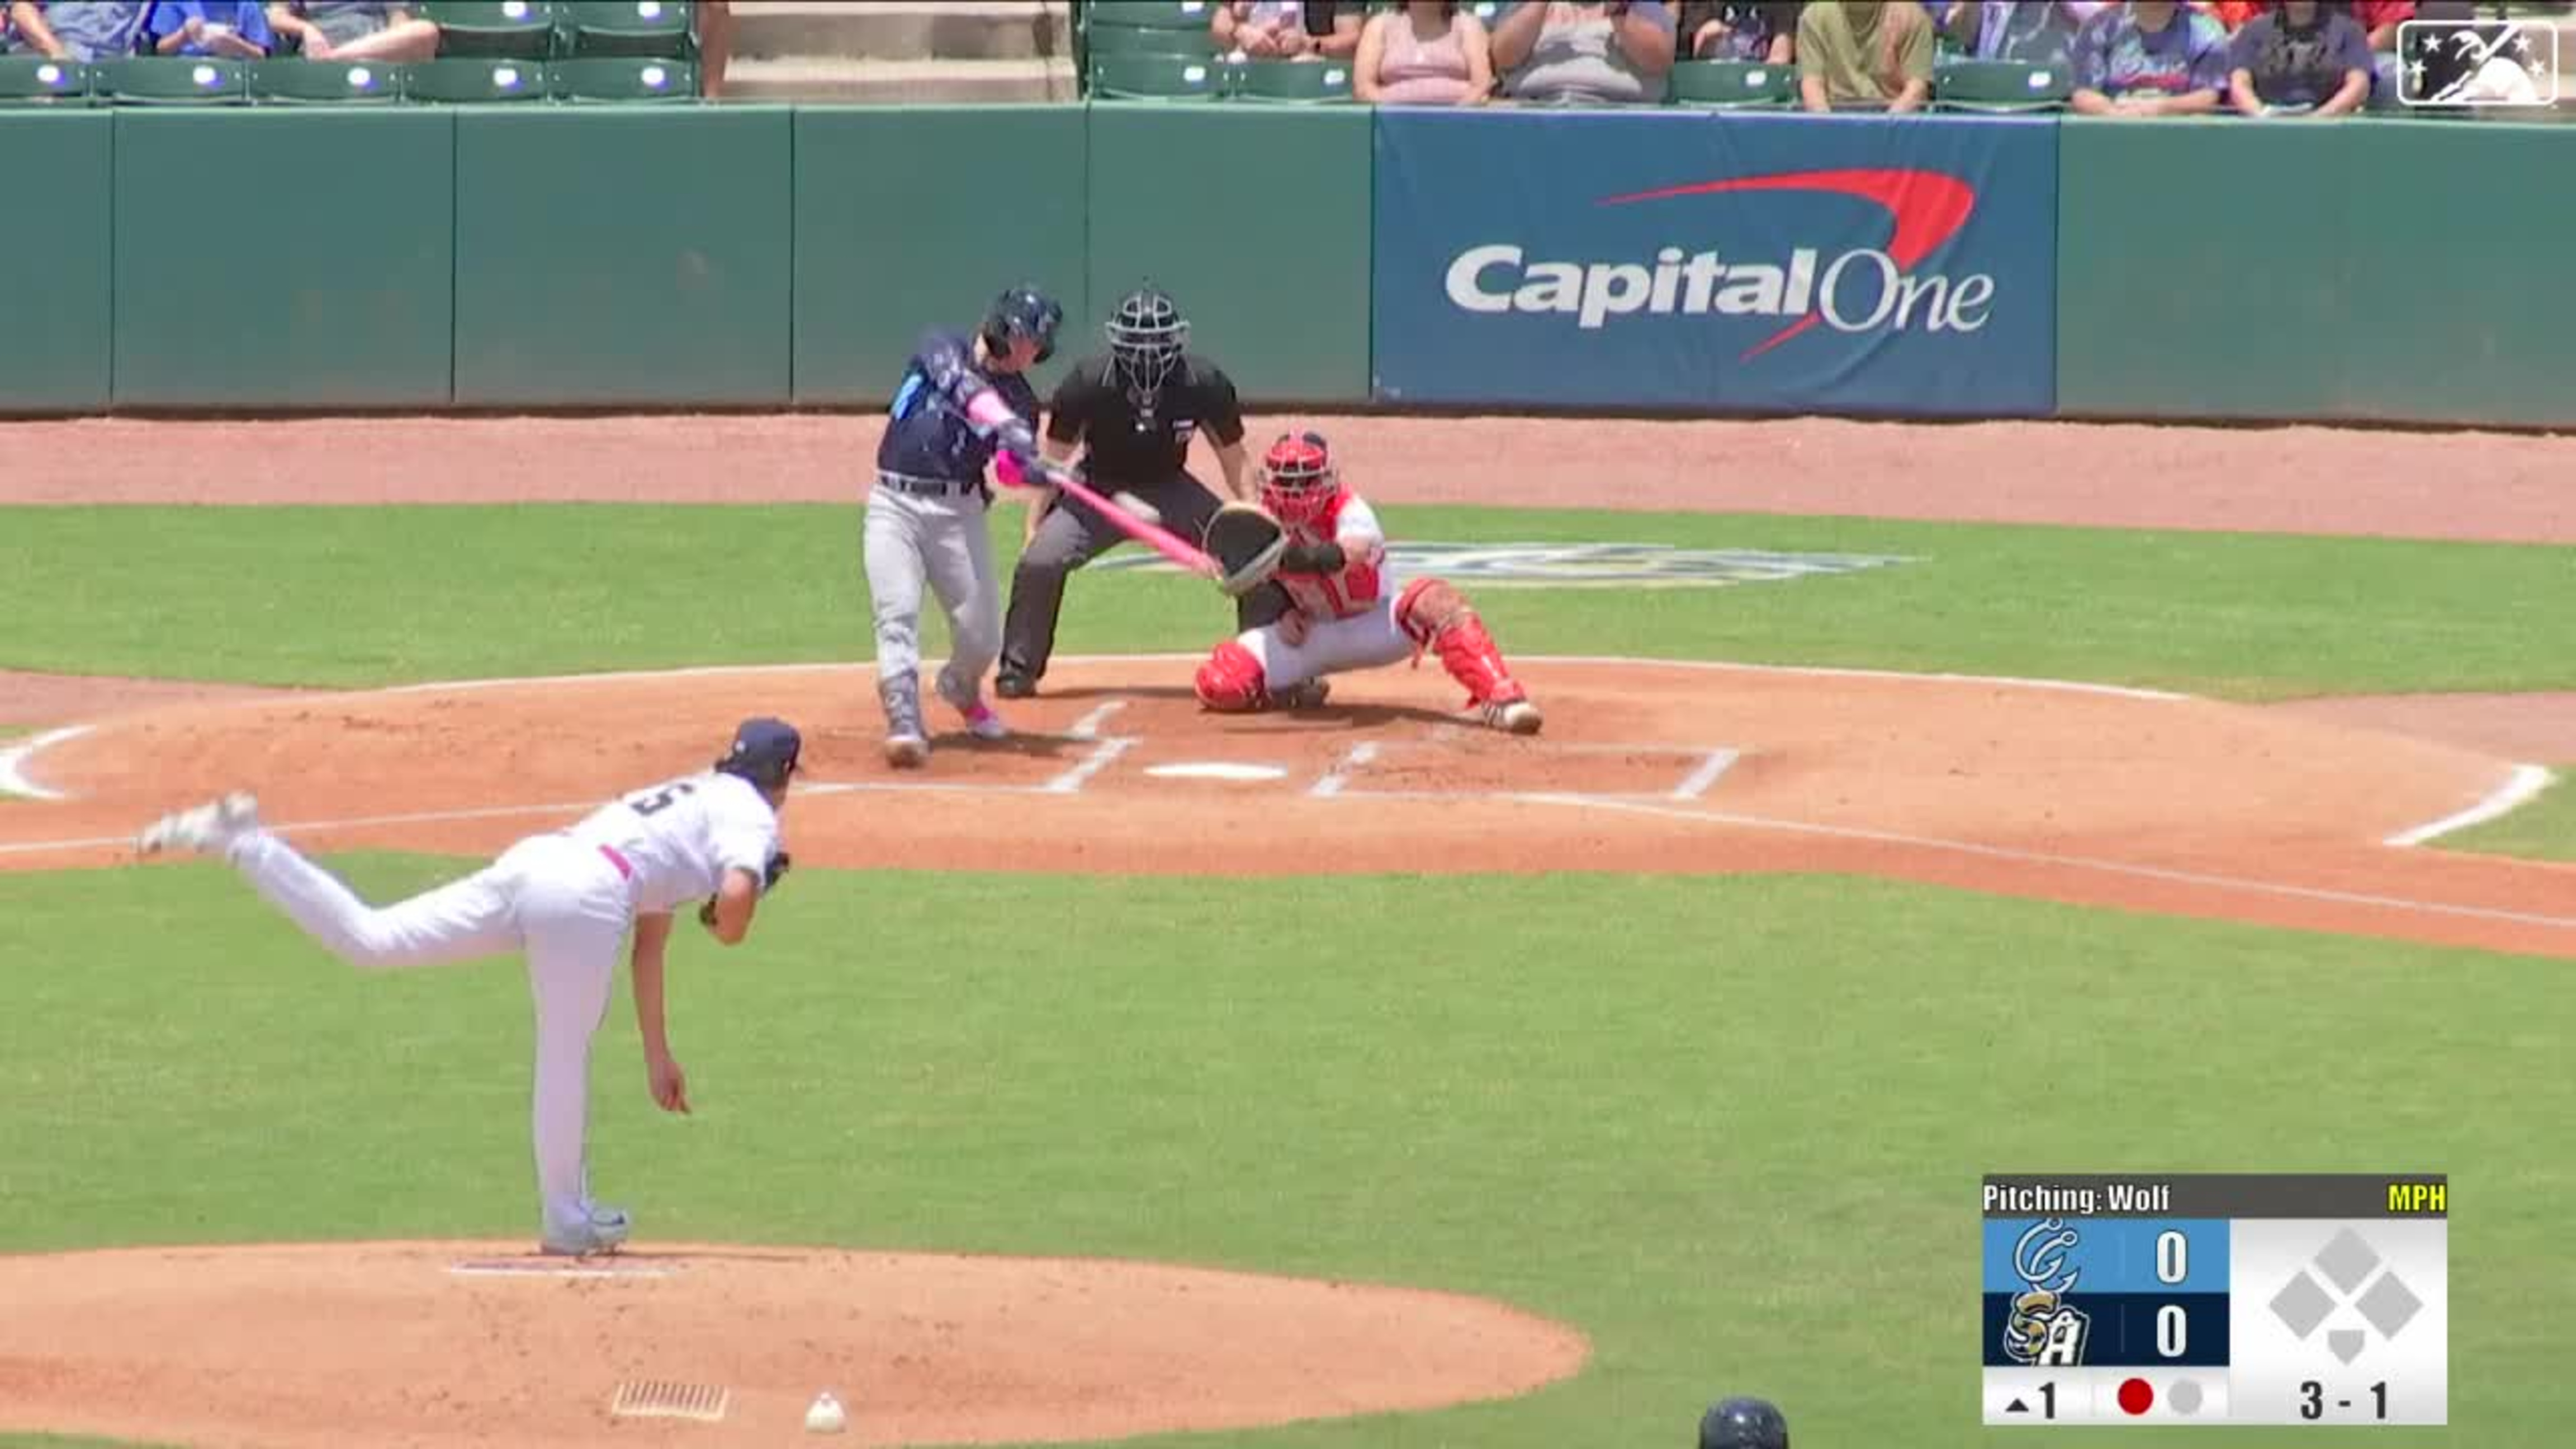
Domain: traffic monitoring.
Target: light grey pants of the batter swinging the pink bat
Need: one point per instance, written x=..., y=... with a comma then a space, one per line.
x=942, y=538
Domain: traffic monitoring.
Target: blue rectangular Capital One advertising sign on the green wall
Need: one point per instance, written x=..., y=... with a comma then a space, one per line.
x=1717, y=264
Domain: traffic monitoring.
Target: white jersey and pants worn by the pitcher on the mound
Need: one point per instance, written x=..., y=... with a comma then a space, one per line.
x=568, y=901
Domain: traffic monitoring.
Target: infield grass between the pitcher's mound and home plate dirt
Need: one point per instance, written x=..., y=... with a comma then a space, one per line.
x=1732, y=1128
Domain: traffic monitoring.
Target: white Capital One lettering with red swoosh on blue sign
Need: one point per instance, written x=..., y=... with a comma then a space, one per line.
x=1861, y=290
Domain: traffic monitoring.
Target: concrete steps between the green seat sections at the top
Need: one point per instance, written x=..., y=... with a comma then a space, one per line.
x=903, y=53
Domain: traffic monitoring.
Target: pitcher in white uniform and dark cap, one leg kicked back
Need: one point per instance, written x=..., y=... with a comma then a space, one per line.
x=565, y=899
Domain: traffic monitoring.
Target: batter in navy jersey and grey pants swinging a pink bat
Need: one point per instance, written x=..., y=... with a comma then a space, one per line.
x=926, y=517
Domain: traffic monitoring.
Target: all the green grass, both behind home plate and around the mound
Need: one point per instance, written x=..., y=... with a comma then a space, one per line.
x=1730, y=1128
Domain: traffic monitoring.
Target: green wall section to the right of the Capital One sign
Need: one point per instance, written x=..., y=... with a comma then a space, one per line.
x=2353, y=272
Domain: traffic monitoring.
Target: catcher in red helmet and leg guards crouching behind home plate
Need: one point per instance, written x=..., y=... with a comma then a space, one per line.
x=1336, y=612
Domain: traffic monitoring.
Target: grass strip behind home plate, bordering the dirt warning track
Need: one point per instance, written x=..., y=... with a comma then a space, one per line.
x=354, y=597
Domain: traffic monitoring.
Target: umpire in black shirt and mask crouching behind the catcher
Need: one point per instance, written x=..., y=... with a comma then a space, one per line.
x=1132, y=414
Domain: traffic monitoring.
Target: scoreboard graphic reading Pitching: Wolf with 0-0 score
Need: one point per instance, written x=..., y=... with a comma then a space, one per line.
x=2217, y=1298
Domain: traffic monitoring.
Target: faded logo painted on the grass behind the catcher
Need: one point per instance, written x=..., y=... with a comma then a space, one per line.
x=1586, y=566
